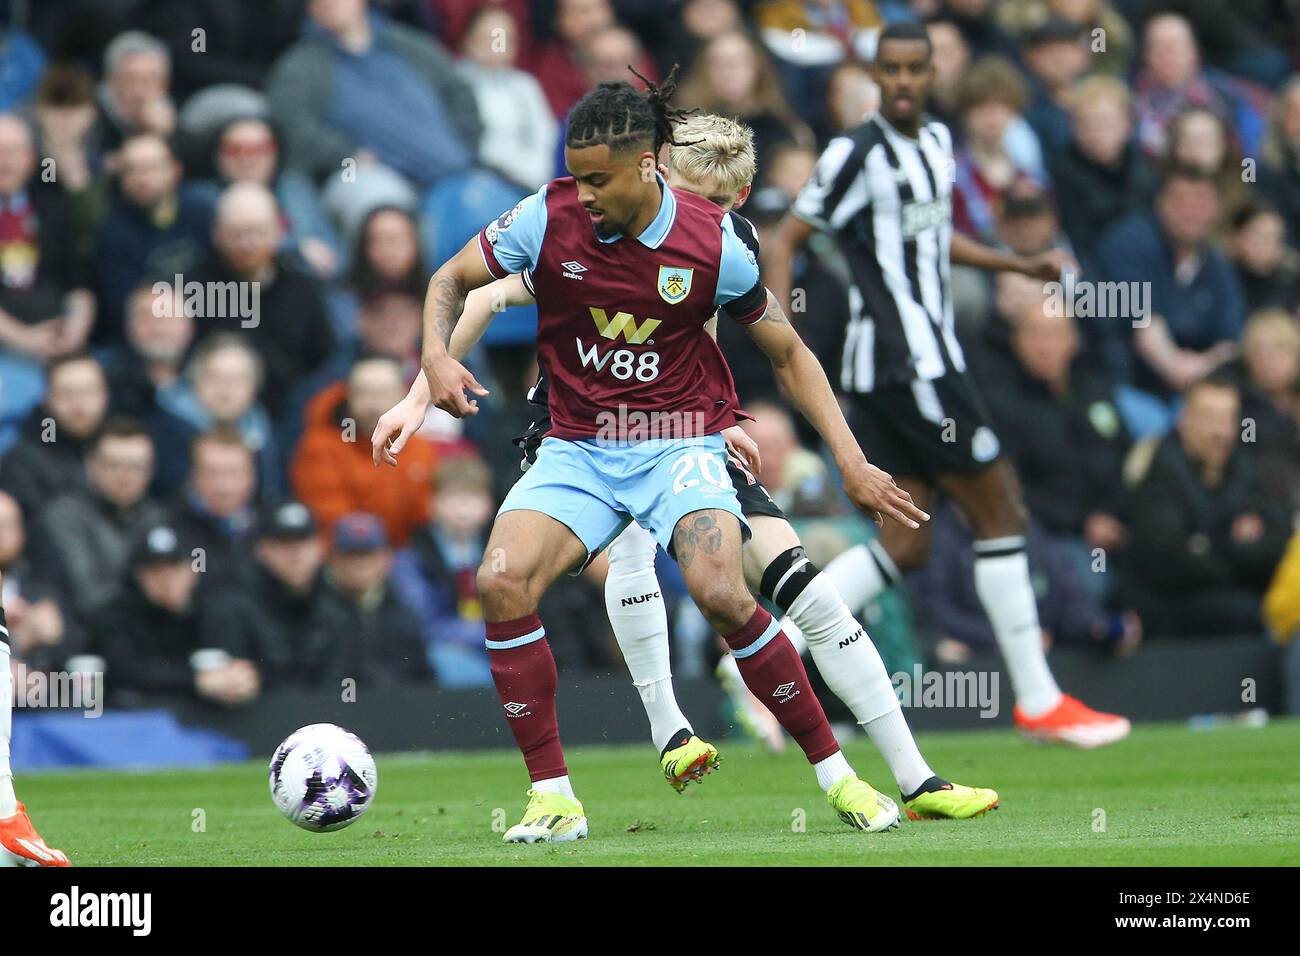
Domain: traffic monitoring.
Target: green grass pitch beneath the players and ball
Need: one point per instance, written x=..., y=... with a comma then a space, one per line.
x=1165, y=797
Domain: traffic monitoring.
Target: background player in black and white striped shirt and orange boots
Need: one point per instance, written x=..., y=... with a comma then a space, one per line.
x=885, y=192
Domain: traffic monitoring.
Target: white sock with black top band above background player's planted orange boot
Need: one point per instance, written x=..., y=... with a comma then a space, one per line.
x=1006, y=590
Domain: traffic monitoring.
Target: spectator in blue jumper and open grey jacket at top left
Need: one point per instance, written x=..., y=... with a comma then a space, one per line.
x=361, y=88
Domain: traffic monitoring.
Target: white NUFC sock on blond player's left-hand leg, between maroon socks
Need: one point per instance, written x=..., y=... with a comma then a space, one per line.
x=640, y=622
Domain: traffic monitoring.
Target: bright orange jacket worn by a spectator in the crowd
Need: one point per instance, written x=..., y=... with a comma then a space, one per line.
x=333, y=477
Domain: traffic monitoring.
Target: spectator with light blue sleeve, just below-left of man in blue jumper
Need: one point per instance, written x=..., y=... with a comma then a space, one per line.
x=248, y=150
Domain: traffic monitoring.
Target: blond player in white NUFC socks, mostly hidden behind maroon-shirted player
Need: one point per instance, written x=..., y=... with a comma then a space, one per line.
x=716, y=159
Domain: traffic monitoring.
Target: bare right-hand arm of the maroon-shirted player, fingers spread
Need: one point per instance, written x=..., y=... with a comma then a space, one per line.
x=804, y=383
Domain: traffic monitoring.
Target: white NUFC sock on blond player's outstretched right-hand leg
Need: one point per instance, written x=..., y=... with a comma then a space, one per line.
x=852, y=668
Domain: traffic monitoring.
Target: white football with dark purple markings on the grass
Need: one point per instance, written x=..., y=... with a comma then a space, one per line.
x=323, y=778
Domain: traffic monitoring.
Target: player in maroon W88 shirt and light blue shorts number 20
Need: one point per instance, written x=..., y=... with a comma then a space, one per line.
x=608, y=248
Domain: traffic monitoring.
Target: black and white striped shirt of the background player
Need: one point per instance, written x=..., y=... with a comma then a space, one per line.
x=887, y=198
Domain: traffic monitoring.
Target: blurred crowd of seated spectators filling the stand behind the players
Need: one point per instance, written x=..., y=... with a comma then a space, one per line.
x=218, y=219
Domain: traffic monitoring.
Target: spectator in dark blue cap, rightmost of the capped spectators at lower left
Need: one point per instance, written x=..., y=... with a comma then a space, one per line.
x=383, y=641
